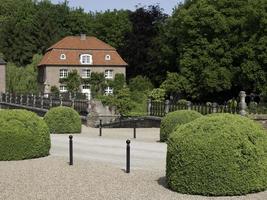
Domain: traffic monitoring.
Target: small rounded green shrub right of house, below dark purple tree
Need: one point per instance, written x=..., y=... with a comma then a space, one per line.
x=140, y=83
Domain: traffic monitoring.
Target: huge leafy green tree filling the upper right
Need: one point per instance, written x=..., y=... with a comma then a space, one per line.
x=221, y=46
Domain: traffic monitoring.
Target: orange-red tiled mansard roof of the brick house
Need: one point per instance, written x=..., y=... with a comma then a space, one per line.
x=73, y=47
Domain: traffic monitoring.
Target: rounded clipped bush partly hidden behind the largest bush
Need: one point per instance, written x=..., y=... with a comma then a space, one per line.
x=174, y=119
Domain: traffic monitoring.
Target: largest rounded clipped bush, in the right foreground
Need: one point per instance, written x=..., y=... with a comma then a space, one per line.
x=217, y=155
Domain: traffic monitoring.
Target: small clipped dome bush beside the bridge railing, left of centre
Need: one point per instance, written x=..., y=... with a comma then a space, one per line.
x=63, y=120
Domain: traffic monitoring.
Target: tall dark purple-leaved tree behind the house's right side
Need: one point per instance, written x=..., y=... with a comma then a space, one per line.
x=139, y=51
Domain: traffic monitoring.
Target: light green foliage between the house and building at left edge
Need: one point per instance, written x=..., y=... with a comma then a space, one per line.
x=23, y=79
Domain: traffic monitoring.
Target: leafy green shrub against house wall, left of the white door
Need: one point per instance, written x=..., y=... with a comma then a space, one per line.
x=73, y=81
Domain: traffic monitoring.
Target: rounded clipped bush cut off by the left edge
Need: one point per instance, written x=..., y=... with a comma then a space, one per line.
x=23, y=135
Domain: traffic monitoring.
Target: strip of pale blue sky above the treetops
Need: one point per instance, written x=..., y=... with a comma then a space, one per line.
x=102, y=5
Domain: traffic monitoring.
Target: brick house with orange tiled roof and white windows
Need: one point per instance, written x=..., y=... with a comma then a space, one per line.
x=82, y=53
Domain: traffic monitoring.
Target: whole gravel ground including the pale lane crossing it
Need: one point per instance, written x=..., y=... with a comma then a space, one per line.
x=95, y=175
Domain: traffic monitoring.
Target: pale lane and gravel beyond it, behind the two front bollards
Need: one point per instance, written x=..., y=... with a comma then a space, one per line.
x=146, y=153
